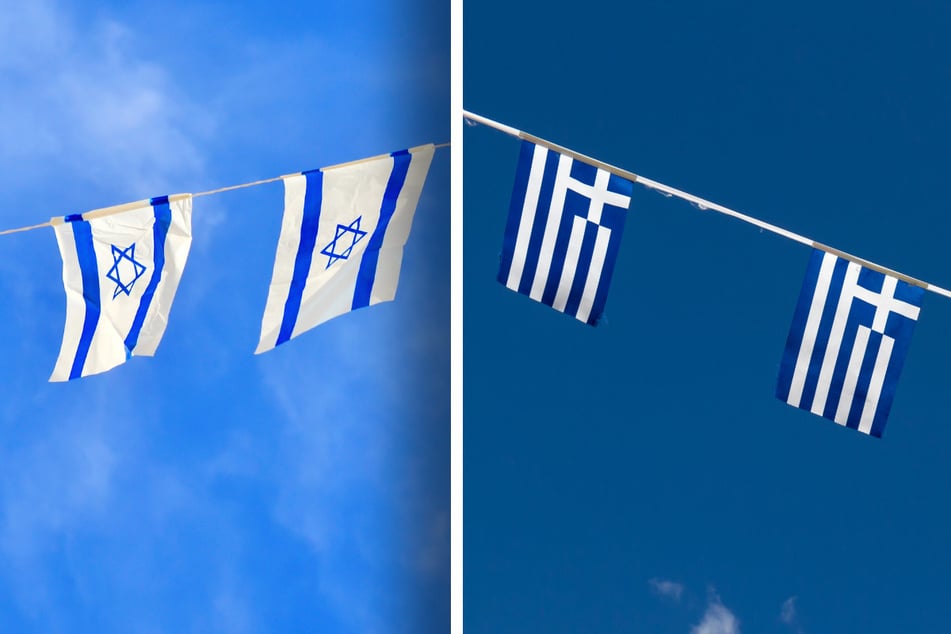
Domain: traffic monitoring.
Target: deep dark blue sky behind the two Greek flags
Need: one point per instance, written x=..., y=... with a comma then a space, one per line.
x=641, y=476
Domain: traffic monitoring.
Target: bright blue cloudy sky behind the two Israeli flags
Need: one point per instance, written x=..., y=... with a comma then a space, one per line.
x=208, y=489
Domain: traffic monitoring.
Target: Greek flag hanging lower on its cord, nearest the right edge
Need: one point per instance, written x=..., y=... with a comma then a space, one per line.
x=848, y=342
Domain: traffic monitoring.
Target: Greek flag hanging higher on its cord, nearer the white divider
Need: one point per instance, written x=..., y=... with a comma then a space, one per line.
x=563, y=232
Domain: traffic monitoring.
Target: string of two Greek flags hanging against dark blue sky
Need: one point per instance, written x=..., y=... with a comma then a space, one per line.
x=851, y=328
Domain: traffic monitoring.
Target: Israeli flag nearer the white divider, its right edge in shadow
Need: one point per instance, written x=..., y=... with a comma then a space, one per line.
x=341, y=243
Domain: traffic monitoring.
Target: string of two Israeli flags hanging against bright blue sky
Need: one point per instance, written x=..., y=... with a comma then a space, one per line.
x=340, y=249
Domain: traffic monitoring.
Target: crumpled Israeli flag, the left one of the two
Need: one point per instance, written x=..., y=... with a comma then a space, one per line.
x=121, y=268
